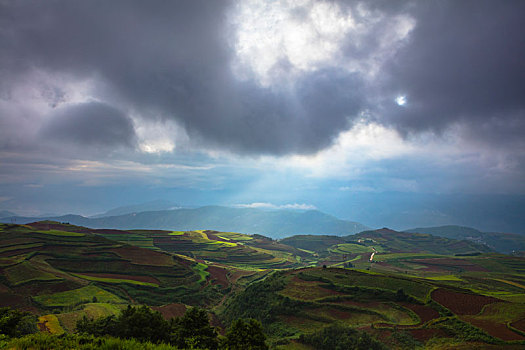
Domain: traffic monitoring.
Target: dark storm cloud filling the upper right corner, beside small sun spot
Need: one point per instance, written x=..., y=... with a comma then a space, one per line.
x=464, y=63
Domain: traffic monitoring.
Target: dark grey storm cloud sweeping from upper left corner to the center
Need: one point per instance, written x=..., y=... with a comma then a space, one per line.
x=172, y=60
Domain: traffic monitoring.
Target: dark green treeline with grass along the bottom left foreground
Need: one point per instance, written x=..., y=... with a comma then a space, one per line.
x=136, y=325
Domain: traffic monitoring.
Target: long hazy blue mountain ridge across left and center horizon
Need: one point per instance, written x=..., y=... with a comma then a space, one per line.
x=271, y=223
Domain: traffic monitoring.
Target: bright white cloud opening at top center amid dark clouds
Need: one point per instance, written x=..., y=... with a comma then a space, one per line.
x=291, y=37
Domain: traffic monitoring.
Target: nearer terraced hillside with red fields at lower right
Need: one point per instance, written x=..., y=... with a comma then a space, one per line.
x=401, y=311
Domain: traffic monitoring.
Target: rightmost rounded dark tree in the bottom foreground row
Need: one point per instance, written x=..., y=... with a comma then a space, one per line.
x=245, y=334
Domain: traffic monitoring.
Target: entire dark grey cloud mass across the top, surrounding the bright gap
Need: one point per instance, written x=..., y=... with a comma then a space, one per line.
x=172, y=60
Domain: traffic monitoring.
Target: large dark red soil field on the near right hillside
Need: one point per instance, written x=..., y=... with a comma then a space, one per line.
x=461, y=303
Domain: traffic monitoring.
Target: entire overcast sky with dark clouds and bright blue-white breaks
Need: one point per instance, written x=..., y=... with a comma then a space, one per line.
x=106, y=103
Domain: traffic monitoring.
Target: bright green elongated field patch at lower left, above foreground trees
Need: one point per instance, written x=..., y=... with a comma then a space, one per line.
x=75, y=296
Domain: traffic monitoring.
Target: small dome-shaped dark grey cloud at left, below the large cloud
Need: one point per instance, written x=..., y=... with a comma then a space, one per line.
x=90, y=124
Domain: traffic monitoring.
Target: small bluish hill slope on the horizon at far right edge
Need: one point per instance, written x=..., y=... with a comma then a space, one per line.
x=501, y=242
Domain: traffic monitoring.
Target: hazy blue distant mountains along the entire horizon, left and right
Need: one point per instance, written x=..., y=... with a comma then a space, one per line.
x=275, y=223
